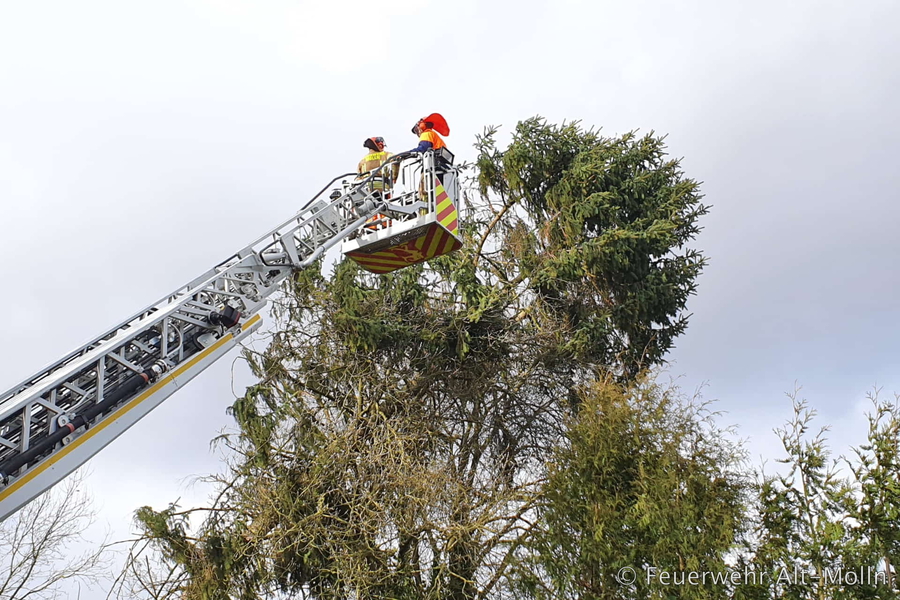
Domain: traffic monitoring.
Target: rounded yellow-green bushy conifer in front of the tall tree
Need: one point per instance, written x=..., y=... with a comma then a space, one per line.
x=645, y=479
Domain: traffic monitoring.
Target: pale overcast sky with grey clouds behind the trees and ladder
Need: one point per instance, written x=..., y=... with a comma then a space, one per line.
x=141, y=143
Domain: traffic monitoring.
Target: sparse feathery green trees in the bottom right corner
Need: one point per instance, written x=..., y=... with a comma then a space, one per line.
x=816, y=523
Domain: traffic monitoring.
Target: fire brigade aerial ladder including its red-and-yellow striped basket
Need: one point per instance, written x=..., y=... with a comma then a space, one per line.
x=56, y=420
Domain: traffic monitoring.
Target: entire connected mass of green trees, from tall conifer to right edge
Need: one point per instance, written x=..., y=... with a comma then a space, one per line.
x=483, y=426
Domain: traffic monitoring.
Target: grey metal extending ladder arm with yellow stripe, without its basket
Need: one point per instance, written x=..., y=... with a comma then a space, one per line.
x=53, y=422
